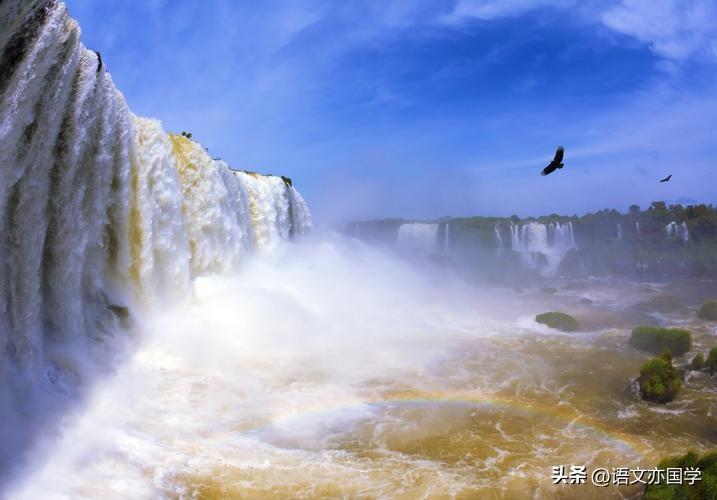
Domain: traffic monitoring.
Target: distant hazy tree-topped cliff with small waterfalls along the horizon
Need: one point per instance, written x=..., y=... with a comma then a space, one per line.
x=661, y=240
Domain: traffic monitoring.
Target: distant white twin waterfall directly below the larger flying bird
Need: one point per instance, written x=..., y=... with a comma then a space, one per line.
x=533, y=240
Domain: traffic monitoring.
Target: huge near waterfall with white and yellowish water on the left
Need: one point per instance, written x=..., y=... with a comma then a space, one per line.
x=101, y=211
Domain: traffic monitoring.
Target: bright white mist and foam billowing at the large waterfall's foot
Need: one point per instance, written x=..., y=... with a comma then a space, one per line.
x=270, y=365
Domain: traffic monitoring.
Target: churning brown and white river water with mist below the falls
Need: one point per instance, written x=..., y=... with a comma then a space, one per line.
x=333, y=370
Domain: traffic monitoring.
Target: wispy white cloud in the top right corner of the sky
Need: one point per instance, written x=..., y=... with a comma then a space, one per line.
x=675, y=29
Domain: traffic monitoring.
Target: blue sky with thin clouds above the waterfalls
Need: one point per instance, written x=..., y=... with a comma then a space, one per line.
x=433, y=107
